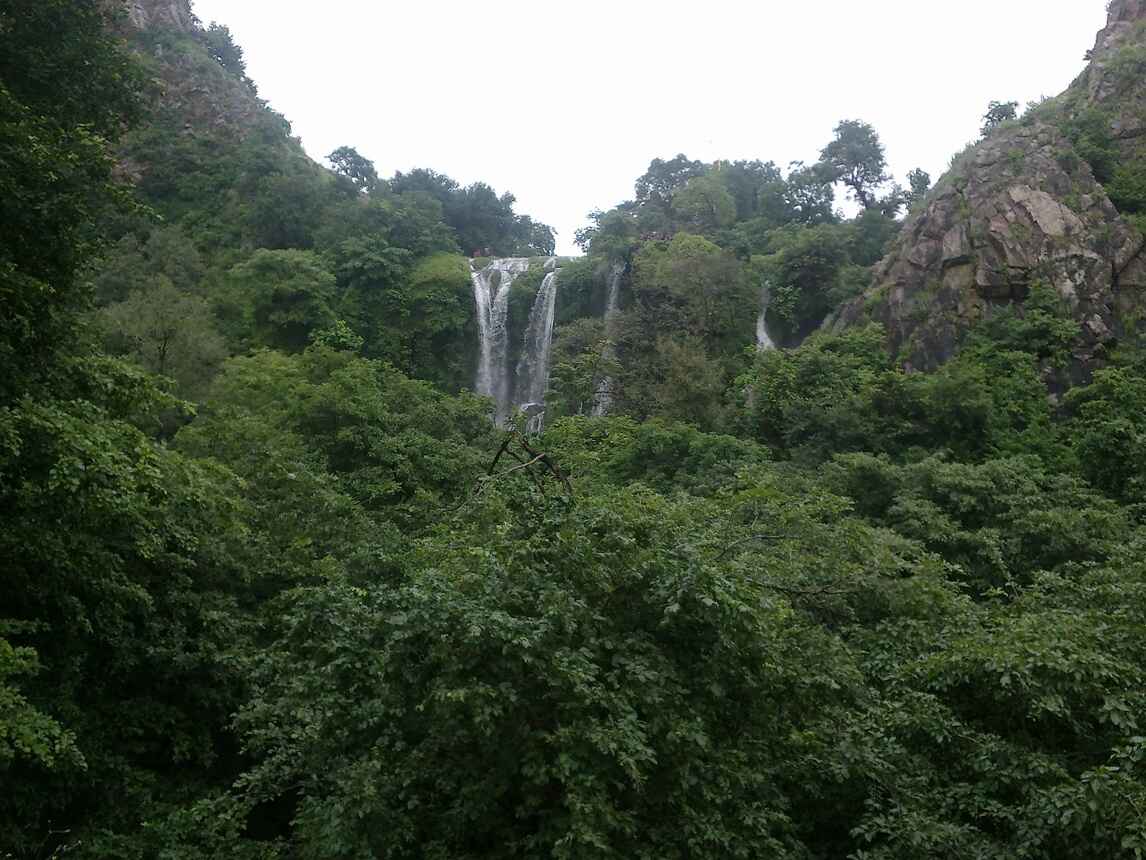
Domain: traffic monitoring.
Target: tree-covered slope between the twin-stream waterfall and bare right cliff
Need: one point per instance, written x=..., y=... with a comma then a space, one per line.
x=704, y=248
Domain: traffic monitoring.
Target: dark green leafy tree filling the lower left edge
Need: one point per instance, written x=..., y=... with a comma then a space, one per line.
x=119, y=574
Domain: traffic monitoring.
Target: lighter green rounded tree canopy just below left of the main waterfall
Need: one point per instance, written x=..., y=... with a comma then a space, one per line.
x=397, y=447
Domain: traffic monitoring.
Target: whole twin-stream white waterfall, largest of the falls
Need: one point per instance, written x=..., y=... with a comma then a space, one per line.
x=525, y=388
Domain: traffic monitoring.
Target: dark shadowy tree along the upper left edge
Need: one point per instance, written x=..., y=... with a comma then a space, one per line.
x=69, y=88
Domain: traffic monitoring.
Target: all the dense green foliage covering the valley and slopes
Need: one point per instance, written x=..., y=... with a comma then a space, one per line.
x=274, y=589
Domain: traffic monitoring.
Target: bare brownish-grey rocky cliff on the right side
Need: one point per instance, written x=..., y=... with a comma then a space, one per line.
x=1024, y=207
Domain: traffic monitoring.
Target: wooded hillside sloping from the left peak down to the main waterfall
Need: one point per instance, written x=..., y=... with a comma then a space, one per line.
x=247, y=243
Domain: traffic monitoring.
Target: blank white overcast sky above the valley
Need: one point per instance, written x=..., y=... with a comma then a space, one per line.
x=566, y=103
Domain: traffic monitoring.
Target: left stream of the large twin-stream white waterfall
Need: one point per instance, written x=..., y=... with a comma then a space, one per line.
x=491, y=295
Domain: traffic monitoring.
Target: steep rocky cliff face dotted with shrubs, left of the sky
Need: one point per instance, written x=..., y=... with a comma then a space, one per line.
x=209, y=145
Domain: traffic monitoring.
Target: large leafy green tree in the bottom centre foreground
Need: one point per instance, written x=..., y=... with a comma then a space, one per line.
x=572, y=684
